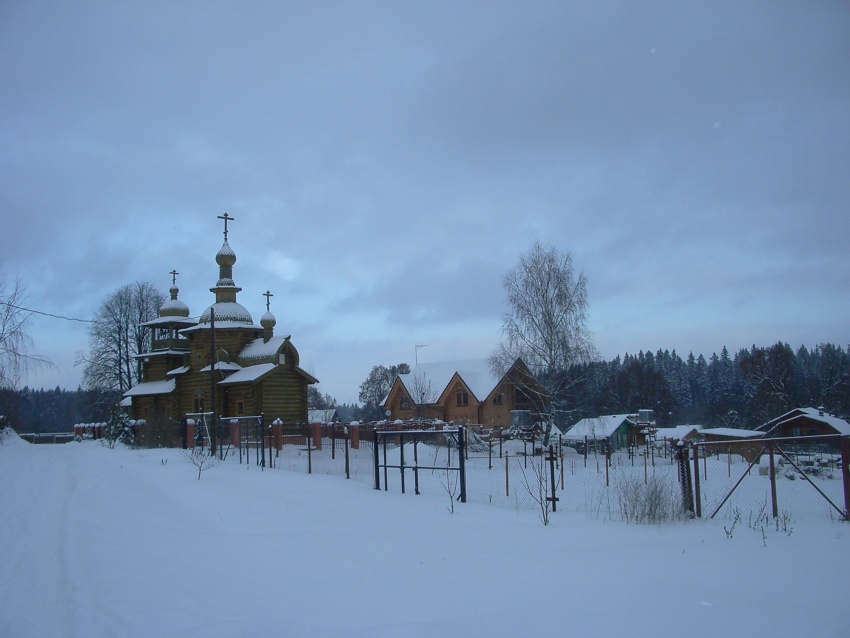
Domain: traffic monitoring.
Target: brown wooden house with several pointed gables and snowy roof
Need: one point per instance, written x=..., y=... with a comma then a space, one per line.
x=460, y=391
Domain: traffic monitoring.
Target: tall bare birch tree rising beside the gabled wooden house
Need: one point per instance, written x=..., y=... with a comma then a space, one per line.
x=546, y=325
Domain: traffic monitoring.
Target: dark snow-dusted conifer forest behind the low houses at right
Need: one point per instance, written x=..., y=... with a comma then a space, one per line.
x=743, y=391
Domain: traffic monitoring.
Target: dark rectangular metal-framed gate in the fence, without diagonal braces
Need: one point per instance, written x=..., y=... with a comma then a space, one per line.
x=450, y=439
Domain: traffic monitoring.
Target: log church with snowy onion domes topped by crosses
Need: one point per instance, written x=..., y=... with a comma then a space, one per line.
x=222, y=362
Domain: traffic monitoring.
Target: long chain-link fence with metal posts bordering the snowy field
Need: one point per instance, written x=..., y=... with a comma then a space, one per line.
x=733, y=480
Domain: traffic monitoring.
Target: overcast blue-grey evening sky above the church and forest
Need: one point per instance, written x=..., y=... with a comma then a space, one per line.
x=388, y=162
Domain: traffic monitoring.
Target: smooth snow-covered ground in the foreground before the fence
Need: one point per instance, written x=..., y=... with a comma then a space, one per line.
x=119, y=542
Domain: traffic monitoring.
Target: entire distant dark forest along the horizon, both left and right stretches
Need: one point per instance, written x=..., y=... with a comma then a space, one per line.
x=743, y=391
